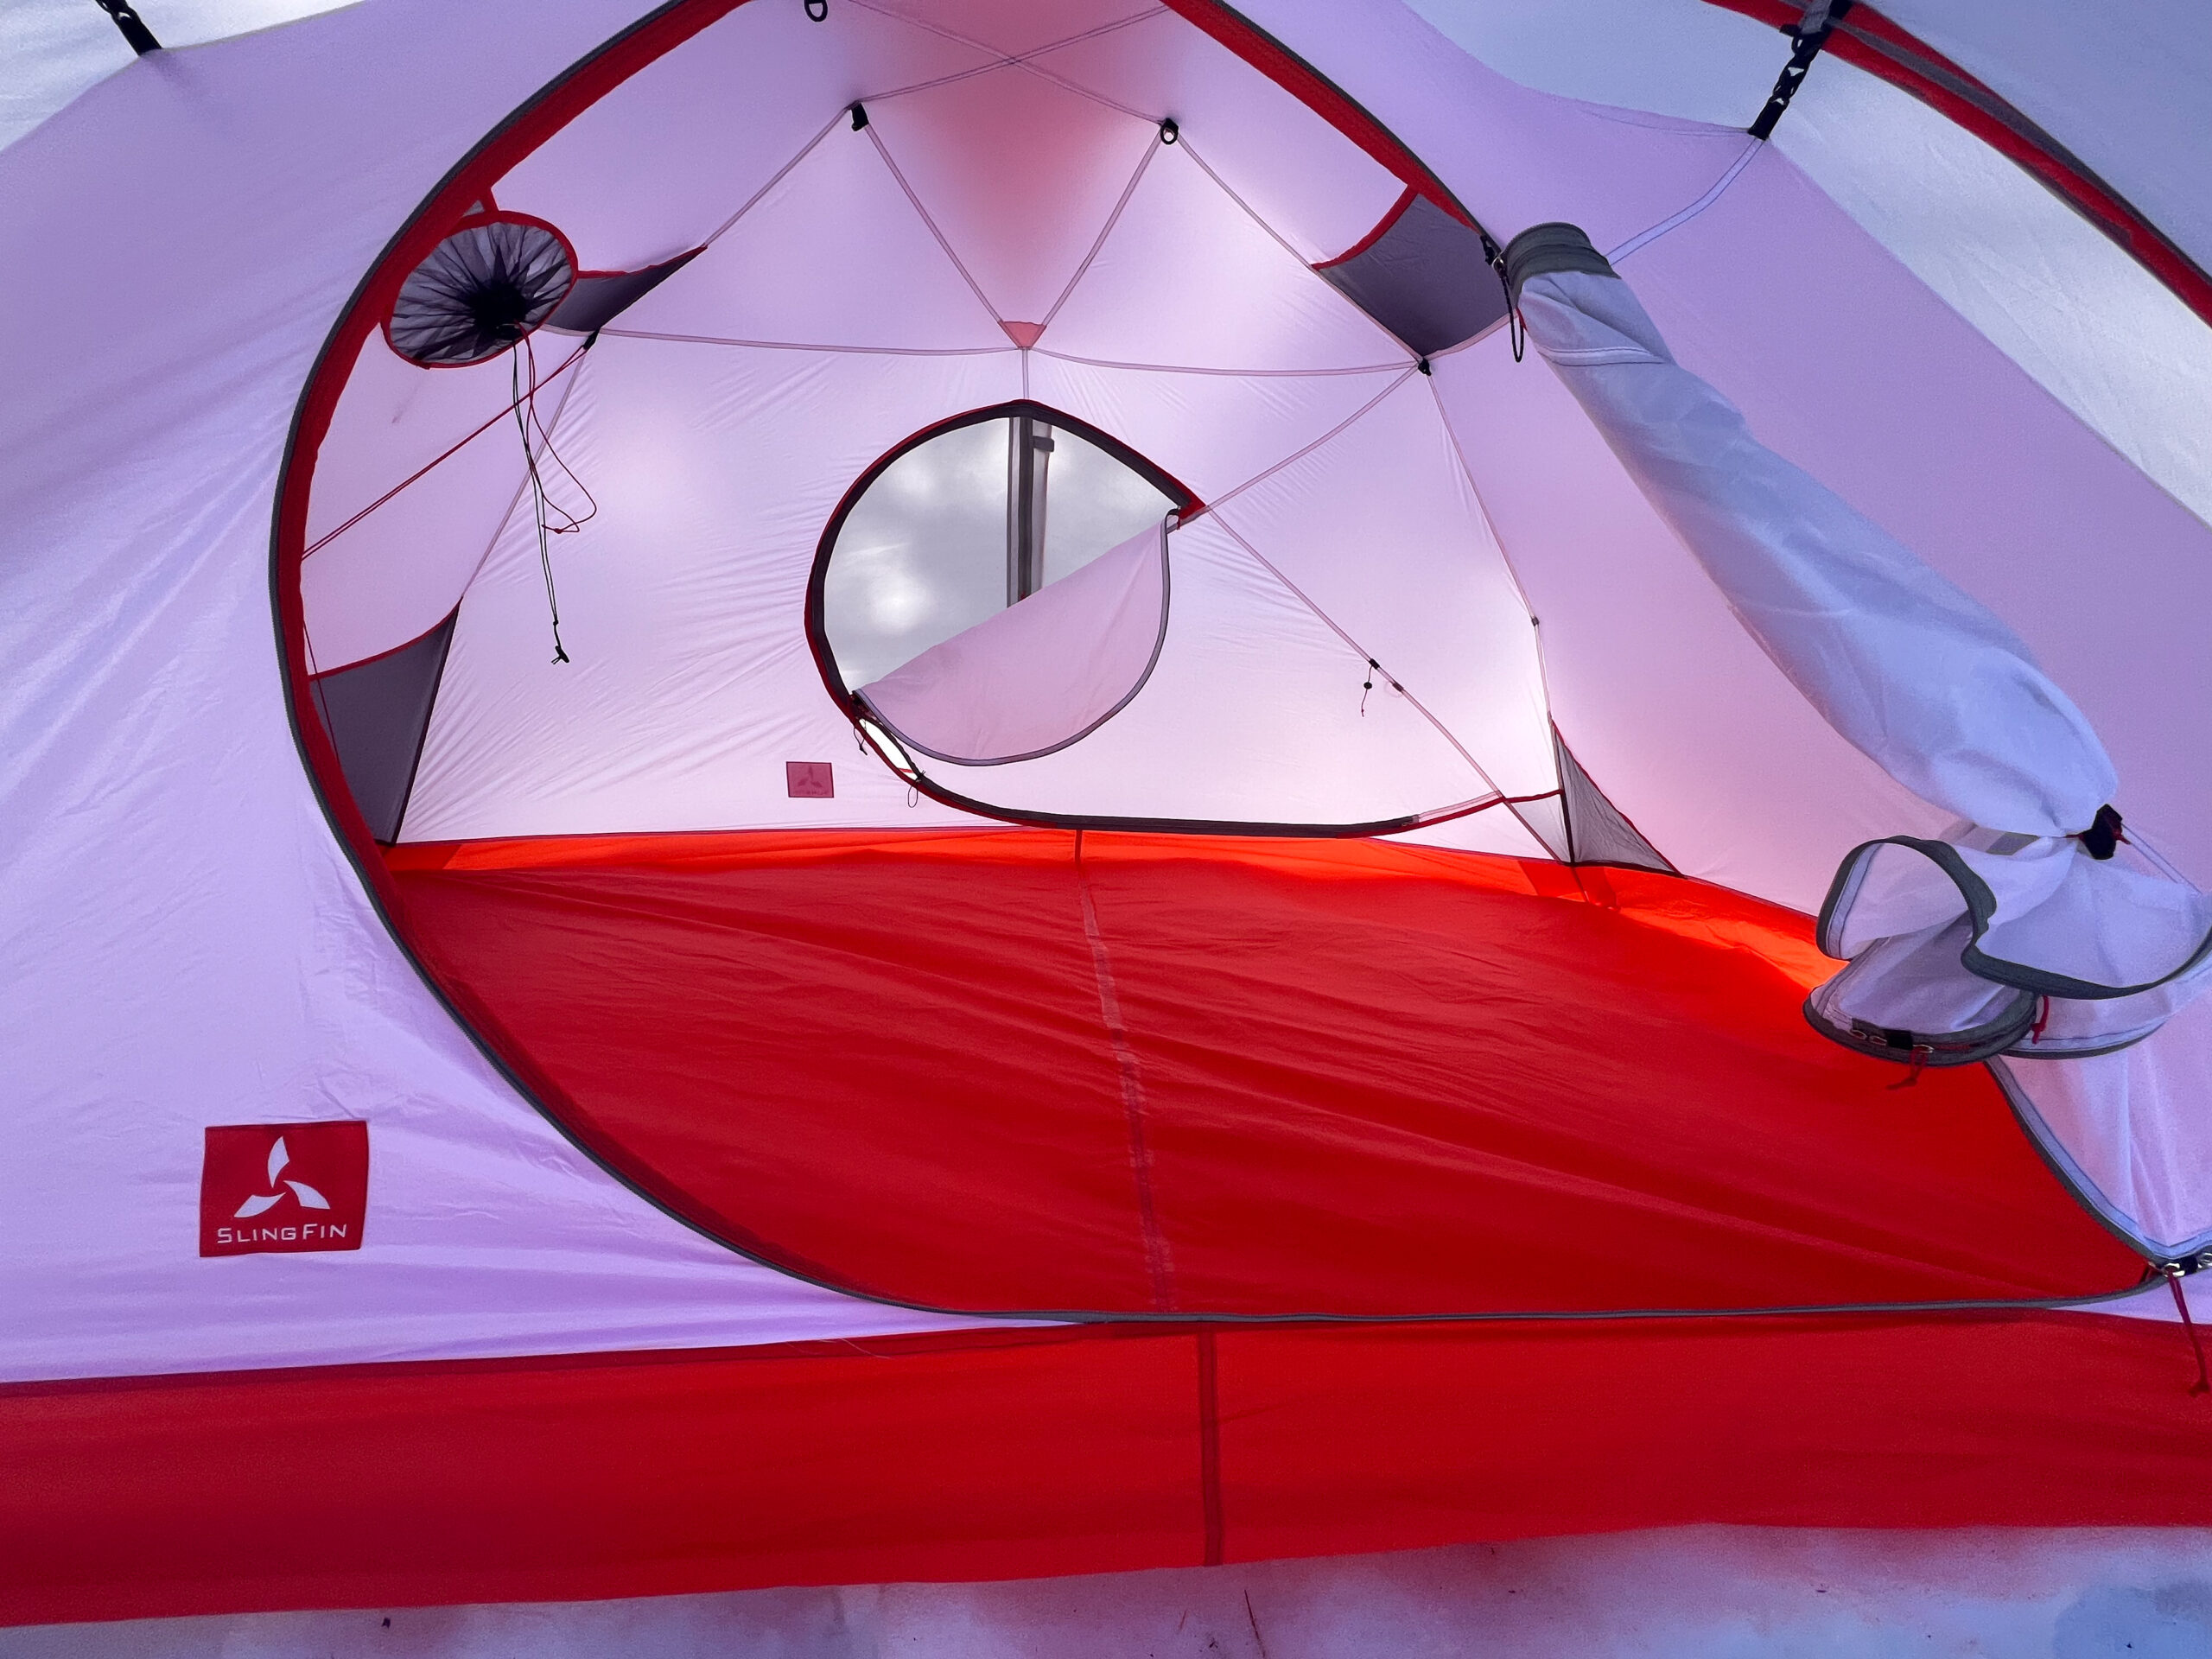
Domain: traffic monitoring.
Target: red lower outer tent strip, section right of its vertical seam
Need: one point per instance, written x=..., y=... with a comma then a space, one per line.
x=1401, y=1437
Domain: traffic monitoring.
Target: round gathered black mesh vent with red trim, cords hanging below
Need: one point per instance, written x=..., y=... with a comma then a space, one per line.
x=481, y=291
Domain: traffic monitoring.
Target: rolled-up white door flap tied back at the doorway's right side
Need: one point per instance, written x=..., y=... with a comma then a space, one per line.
x=1943, y=698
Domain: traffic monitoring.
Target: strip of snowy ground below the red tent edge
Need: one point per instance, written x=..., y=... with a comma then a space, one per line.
x=1707, y=1592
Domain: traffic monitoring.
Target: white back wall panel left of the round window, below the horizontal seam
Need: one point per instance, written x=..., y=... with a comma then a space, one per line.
x=691, y=682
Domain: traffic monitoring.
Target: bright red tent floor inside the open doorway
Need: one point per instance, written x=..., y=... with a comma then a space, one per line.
x=1348, y=1078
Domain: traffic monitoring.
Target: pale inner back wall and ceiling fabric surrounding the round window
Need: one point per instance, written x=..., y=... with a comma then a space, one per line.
x=1050, y=244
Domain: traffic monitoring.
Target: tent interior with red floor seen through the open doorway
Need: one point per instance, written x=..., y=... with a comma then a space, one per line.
x=959, y=718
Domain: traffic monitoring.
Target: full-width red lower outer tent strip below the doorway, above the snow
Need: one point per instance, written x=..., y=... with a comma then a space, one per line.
x=1008, y=1454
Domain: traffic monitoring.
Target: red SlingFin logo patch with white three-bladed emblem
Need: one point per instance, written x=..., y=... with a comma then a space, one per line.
x=284, y=1187
